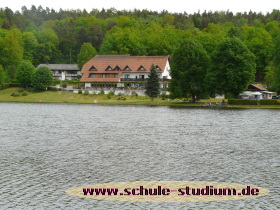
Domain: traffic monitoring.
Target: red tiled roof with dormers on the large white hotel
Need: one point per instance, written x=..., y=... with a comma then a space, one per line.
x=101, y=63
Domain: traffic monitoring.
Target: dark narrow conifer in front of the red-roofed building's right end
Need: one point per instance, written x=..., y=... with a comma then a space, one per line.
x=152, y=88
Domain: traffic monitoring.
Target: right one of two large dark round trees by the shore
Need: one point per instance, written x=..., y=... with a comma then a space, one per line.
x=233, y=67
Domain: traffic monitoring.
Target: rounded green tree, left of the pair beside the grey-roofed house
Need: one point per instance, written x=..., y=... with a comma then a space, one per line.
x=24, y=73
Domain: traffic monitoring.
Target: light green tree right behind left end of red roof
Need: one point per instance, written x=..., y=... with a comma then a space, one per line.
x=87, y=52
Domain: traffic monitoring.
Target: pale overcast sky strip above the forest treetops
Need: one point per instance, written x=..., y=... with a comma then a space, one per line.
x=189, y=6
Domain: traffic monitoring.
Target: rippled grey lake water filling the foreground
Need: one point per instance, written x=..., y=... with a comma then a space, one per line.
x=48, y=148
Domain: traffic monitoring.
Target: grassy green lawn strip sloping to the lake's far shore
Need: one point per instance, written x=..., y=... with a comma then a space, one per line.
x=65, y=97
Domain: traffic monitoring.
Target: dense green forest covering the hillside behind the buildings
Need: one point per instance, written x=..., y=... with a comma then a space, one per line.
x=48, y=36
